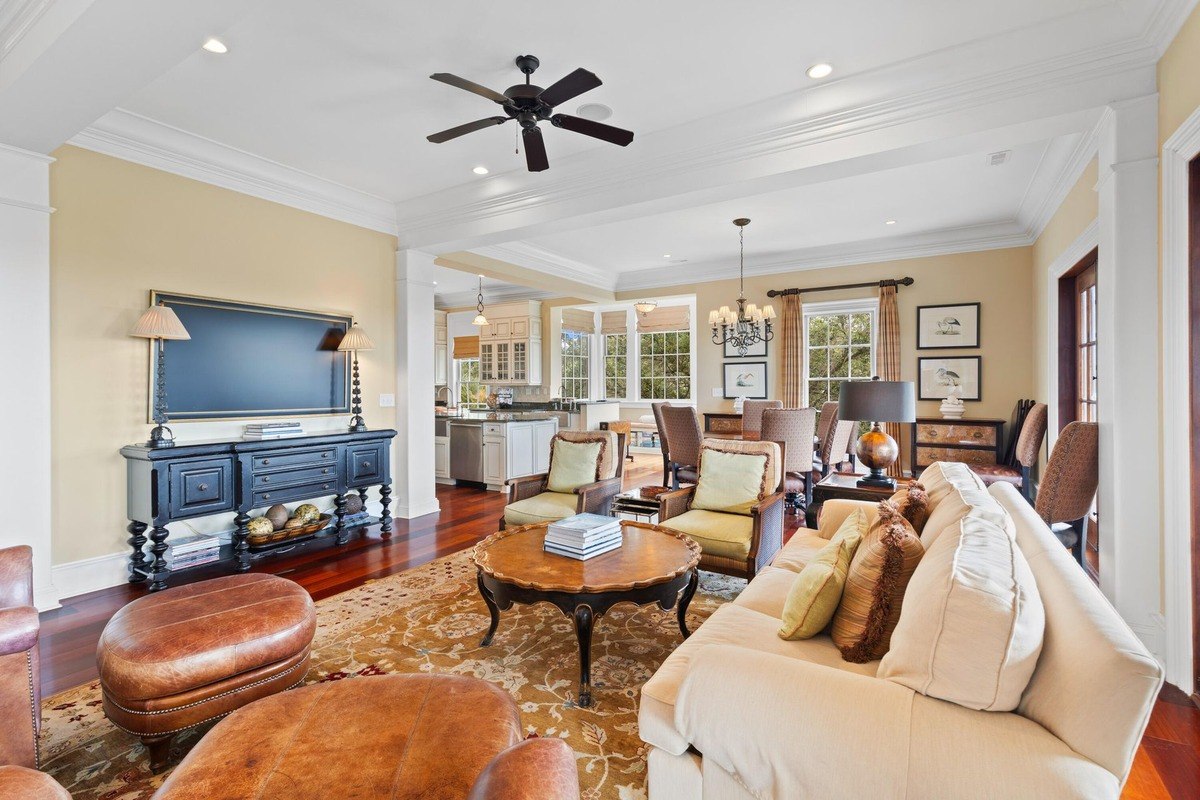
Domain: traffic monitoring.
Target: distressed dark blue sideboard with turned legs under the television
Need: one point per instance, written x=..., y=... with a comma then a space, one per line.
x=207, y=478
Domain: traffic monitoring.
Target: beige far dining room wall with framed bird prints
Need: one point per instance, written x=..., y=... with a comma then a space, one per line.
x=1001, y=280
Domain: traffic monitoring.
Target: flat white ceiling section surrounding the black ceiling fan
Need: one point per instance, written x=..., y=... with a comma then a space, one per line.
x=343, y=91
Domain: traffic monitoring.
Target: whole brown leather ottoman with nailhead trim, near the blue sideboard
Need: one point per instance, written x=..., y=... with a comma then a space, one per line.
x=188, y=655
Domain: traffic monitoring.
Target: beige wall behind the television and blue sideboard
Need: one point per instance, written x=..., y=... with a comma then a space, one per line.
x=123, y=230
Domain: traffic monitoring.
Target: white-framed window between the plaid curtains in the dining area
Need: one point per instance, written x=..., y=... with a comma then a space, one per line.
x=839, y=341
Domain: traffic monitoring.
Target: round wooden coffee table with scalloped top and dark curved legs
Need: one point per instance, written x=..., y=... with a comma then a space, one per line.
x=653, y=566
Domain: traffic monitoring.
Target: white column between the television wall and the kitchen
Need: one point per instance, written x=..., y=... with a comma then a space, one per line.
x=413, y=476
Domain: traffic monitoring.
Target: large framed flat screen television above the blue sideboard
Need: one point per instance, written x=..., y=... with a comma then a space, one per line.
x=248, y=360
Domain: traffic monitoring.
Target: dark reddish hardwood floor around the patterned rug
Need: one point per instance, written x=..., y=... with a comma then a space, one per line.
x=1167, y=766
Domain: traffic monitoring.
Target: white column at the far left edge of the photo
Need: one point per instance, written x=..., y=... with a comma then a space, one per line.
x=26, y=354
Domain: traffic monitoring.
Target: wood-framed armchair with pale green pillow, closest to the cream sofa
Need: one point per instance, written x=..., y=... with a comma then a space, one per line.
x=766, y=531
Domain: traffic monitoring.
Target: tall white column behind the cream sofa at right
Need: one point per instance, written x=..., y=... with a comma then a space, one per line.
x=1129, y=354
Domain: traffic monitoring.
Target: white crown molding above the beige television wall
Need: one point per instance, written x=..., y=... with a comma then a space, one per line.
x=133, y=137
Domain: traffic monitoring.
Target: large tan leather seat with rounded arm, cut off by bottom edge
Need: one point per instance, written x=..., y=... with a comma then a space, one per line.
x=387, y=738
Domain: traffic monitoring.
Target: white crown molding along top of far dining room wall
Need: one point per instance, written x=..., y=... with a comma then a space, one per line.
x=944, y=243
